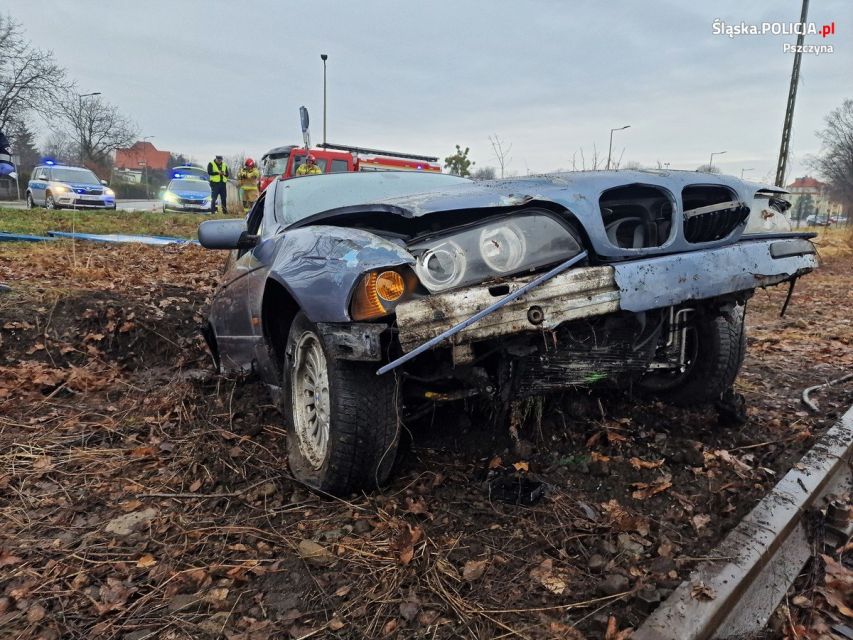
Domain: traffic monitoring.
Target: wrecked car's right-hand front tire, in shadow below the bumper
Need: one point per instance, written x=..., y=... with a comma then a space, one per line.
x=716, y=348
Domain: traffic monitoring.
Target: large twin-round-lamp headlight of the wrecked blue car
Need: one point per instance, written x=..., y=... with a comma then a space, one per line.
x=501, y=247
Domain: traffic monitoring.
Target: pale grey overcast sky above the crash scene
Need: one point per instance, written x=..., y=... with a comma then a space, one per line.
x=551, y=78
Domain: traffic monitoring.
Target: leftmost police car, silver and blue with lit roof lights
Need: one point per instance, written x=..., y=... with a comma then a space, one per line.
x=56, y=186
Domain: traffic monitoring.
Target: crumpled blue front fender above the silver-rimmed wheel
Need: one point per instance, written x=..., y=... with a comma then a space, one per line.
x=320, y=265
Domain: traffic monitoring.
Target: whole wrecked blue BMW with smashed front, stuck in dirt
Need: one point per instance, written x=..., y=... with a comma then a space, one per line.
x=364, y=298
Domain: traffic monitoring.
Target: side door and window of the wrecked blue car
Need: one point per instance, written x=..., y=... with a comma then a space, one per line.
x=236, y=306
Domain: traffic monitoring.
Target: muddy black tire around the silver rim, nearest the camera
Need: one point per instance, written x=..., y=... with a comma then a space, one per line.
x=363, y=433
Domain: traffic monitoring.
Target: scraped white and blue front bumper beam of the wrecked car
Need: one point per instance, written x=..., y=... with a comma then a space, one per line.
x=636, y=285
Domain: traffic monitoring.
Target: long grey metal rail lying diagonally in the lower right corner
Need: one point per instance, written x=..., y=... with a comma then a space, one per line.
x=735, y=594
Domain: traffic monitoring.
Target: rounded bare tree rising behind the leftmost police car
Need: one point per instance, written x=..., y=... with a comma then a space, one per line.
x=96, y=125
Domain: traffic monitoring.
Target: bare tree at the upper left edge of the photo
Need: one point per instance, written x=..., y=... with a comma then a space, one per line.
x=30, y=79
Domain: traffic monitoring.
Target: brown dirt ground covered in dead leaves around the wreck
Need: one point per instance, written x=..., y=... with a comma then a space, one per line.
x=142, y=496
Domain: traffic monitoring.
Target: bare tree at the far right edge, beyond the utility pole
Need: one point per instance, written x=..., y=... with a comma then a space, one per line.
x=835, y=162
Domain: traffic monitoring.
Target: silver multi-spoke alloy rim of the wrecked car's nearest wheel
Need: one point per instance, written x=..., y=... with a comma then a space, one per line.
x=310, y=399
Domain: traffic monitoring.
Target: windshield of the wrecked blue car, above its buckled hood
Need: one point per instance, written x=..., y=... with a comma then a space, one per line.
x=299, y=198
